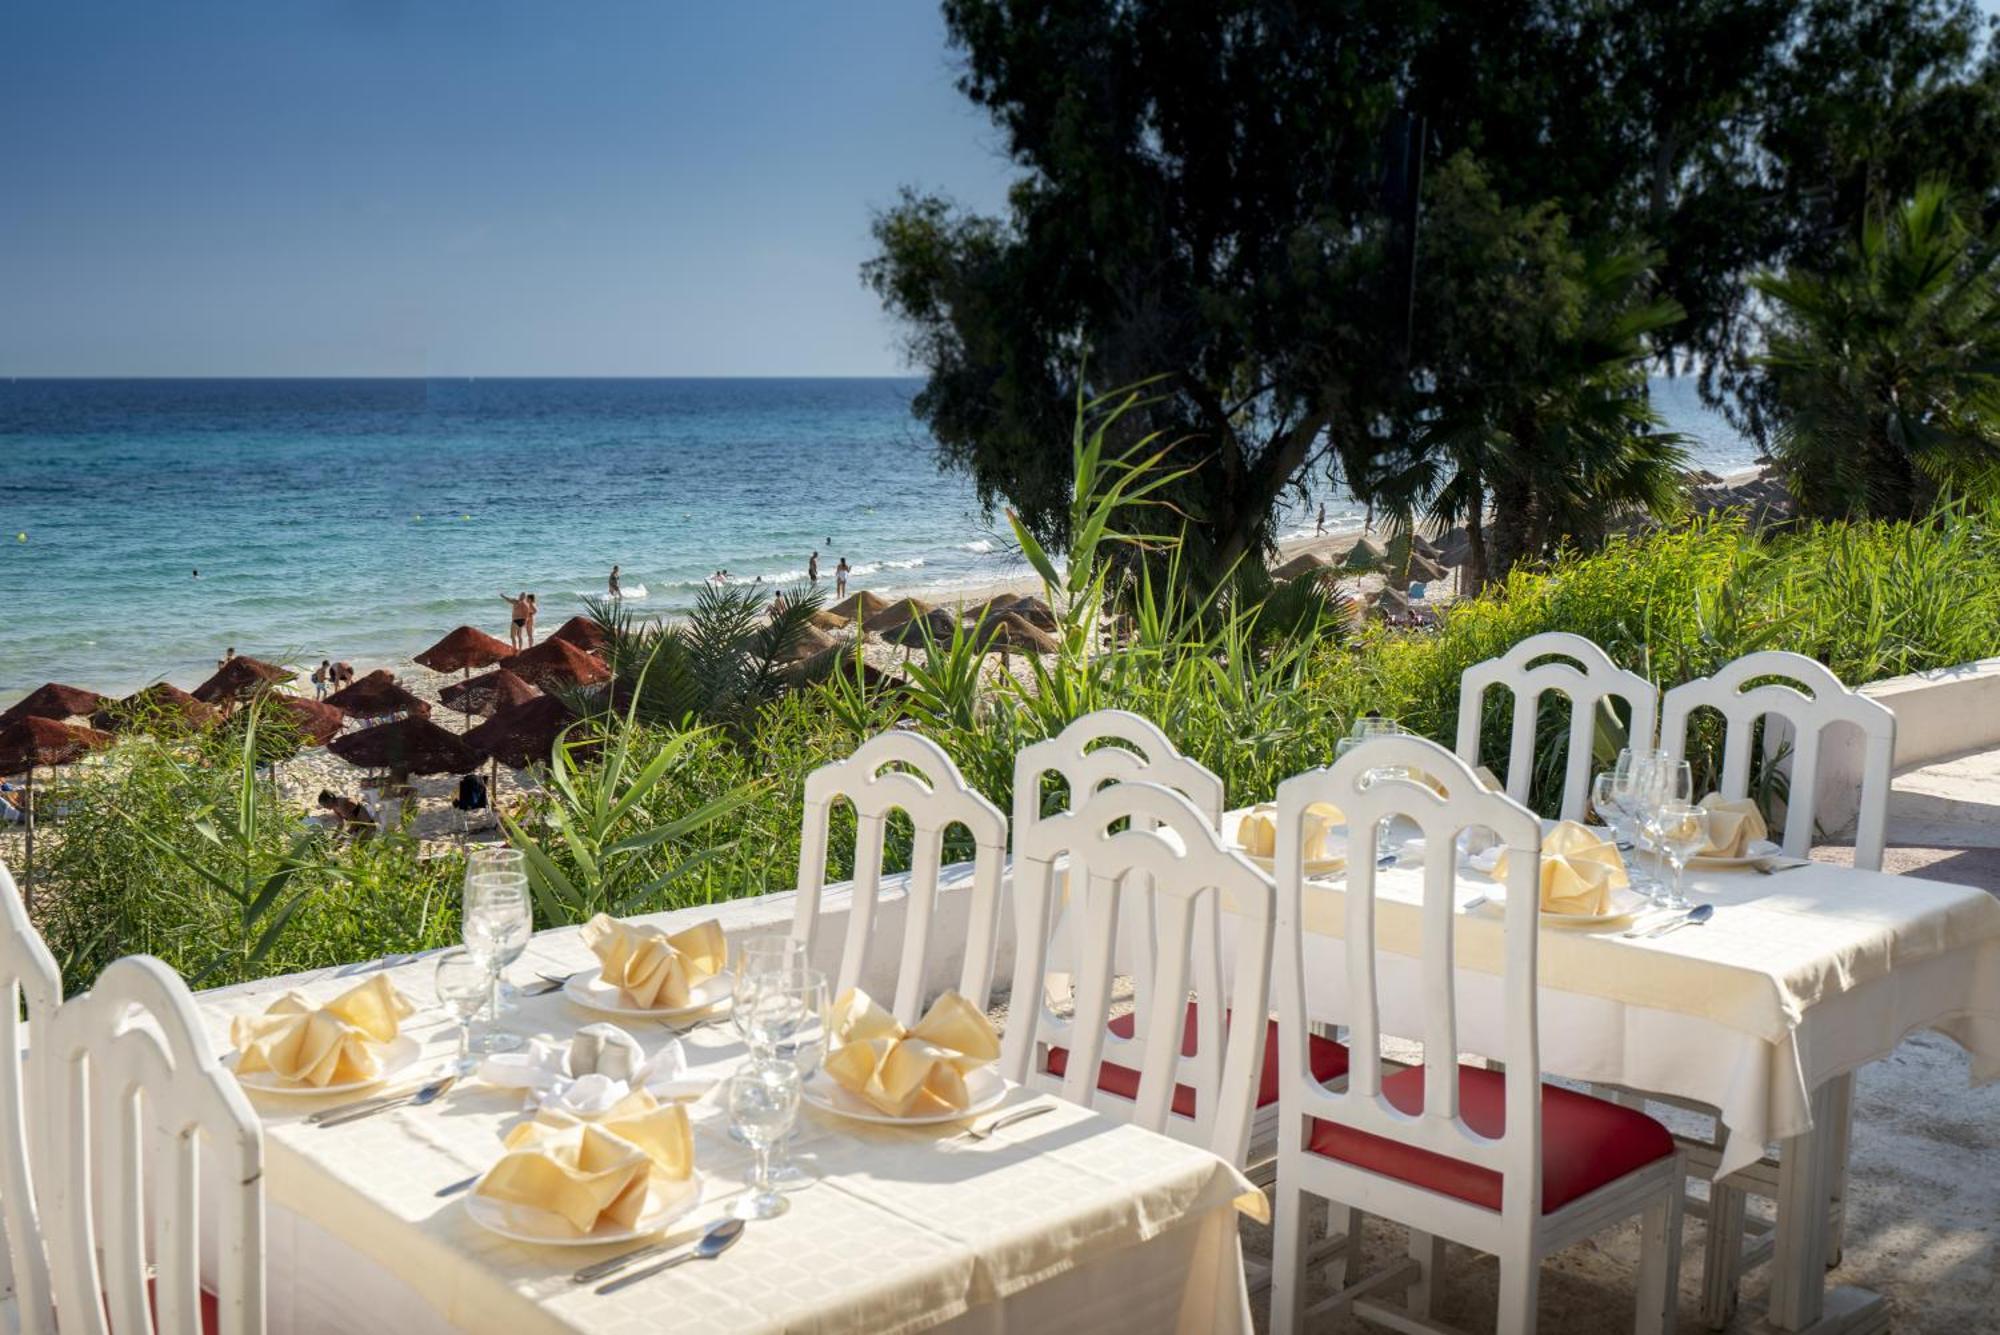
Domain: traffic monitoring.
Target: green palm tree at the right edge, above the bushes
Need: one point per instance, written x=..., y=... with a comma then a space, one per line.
x=1887, y=371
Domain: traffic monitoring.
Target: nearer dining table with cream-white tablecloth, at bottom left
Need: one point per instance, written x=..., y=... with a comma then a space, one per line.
x=1069, y=1222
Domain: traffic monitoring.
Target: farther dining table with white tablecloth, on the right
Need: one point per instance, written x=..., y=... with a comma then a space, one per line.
x=1761, y=1014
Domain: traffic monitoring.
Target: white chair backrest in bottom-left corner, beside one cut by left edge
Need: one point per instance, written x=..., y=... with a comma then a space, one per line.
x=141, y=1106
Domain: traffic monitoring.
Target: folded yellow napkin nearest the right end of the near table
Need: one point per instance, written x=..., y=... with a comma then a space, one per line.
x=909, y=1072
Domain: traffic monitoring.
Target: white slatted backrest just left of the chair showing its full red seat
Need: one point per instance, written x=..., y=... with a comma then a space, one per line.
x=1147, y=840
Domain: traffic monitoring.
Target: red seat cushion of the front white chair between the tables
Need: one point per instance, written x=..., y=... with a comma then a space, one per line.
x=1587, y=1142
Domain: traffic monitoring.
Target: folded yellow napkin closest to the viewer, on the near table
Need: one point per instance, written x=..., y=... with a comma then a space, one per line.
x=583, y=1174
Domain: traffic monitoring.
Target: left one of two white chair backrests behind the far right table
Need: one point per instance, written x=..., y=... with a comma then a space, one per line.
x=1553, y=663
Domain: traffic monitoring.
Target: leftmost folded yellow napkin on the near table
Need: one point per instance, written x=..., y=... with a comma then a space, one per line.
x=317, y=1046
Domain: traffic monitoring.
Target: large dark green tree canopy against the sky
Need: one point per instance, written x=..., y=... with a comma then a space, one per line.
x=1221, y=195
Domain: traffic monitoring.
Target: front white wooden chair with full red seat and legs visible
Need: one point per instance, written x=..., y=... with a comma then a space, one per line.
x=1493, y=1160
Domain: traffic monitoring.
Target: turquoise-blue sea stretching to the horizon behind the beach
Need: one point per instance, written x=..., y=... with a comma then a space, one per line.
x=147, y=527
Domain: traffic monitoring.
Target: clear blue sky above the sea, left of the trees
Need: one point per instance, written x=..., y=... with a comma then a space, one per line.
x=433, y=187
